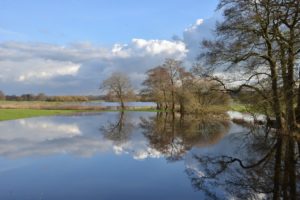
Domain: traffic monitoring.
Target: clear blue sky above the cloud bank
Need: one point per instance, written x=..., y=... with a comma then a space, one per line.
x=99, y=21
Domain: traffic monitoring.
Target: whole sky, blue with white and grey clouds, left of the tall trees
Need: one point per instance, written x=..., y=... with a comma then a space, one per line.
x=68, y=47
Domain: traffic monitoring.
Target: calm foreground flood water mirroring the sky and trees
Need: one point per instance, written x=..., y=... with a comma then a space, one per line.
x=143, y=155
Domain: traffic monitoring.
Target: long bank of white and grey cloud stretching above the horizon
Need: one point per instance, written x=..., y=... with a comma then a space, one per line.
x=78, y=68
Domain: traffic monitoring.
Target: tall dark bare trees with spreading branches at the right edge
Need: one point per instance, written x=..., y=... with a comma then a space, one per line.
x=261, y=40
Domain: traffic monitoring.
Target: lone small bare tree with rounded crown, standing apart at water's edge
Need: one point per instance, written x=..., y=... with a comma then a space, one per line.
x=119, y=86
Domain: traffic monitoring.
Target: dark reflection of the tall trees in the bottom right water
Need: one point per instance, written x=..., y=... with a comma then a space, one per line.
x=269, y=169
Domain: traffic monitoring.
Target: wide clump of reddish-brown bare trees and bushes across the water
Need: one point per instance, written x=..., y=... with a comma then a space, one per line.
x=172, y=87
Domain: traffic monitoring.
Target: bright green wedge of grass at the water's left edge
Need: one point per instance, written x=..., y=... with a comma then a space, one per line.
x=10, y=114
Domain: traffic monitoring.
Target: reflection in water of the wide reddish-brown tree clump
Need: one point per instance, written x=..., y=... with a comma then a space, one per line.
x=174, y=135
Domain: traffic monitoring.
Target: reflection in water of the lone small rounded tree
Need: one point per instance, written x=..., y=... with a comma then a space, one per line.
x=119, y=130
